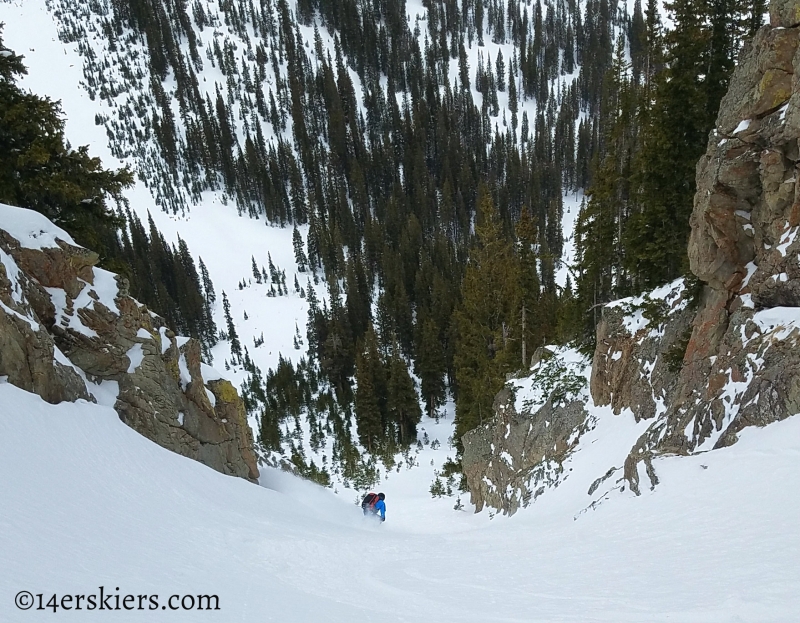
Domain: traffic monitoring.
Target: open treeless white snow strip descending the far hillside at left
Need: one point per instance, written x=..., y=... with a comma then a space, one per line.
x=213, y=231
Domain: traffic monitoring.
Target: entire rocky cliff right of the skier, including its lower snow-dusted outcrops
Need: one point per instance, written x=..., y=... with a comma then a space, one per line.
x=695, y=364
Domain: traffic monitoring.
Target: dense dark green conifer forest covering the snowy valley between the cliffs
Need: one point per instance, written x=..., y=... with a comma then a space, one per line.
x=425, y=167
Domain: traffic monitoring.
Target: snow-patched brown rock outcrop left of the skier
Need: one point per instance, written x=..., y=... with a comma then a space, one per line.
x=69, y=330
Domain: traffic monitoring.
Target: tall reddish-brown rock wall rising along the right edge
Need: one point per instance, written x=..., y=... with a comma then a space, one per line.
x=741, y=363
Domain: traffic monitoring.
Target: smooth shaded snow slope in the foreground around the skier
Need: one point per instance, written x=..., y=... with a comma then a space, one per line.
x=87, y=502
